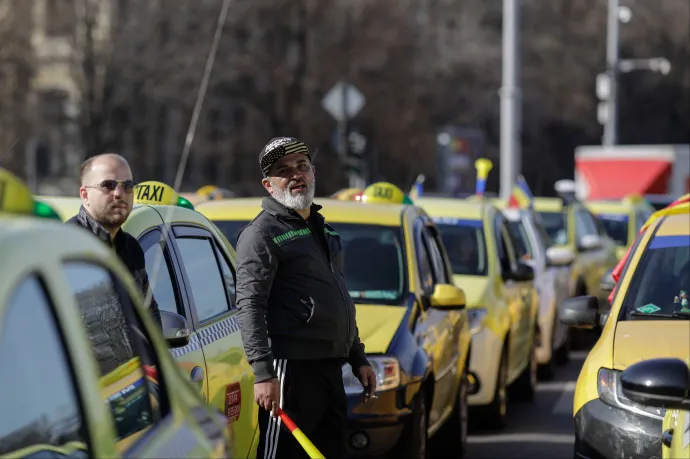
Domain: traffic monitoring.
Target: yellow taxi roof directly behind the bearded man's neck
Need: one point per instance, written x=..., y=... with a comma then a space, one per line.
x=335, y=211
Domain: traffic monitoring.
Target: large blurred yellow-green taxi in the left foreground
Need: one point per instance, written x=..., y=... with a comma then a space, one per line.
x=86, y=372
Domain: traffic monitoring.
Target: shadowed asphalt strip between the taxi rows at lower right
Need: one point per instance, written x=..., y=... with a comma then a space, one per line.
x=543, y=428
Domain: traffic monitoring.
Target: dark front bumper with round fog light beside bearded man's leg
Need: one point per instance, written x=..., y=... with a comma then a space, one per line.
x=376, y=427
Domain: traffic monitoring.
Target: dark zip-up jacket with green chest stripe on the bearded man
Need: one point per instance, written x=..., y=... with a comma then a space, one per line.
x=292, y=290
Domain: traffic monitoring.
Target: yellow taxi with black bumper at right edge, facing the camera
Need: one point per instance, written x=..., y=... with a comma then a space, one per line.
x=649, y=318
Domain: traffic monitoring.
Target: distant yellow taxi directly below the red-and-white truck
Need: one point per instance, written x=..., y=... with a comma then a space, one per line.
x=622, y=219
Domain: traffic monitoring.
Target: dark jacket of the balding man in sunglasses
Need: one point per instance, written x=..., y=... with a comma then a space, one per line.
x=128, y=249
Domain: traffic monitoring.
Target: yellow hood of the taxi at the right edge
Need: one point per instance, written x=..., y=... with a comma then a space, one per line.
x=638, y=340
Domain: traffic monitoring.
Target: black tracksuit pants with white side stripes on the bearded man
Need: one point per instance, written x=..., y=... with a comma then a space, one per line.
x=312, y=394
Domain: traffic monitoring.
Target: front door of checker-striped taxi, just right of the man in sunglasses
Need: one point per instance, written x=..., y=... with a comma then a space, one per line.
x=165, y=279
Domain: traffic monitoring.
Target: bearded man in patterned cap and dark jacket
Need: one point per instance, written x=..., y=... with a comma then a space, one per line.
x=295, y=313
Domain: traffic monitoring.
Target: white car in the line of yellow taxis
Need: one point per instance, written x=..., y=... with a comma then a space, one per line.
x=552, y=280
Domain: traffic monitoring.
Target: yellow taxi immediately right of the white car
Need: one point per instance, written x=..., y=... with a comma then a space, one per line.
x=572, y=225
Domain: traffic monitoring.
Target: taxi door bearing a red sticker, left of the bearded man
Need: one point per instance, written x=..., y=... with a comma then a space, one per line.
x=209, y=277
